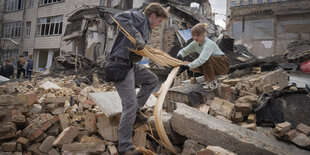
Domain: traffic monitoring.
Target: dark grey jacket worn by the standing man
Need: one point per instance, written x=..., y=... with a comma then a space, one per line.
x=134, y=22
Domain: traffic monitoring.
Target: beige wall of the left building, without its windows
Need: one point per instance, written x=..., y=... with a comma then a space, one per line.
x=35, y=44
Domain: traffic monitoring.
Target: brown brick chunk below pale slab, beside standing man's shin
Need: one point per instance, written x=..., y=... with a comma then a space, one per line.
x=105, y=128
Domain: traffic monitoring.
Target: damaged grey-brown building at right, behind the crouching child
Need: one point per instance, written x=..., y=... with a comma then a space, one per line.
x=266, y=27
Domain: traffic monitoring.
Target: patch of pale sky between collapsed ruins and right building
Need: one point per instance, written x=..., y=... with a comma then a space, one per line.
x=219, y=6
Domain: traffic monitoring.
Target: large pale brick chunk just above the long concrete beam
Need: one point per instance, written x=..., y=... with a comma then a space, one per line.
x=221, y=107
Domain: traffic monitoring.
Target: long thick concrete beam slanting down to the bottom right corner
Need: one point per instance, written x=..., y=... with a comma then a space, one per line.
x=207, y=130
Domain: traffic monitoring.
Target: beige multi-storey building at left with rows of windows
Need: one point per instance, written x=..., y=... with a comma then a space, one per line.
x=36, y=27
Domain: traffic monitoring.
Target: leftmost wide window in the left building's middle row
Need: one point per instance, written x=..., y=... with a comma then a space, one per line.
x=12, y=29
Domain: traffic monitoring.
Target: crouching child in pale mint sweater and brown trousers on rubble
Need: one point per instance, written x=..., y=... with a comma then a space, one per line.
x=211, y=61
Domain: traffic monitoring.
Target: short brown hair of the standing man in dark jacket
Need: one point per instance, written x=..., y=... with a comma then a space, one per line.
x=156, y=8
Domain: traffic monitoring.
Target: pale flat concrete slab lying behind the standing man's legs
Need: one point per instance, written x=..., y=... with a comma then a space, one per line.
x=110, y=102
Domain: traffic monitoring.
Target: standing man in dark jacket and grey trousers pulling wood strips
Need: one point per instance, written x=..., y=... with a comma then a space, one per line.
x=139, y=25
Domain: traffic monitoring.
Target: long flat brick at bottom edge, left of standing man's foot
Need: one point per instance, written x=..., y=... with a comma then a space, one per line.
x=84, y=147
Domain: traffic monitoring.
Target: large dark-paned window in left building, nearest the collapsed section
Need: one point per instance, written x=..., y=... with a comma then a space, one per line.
x=49, y=26
